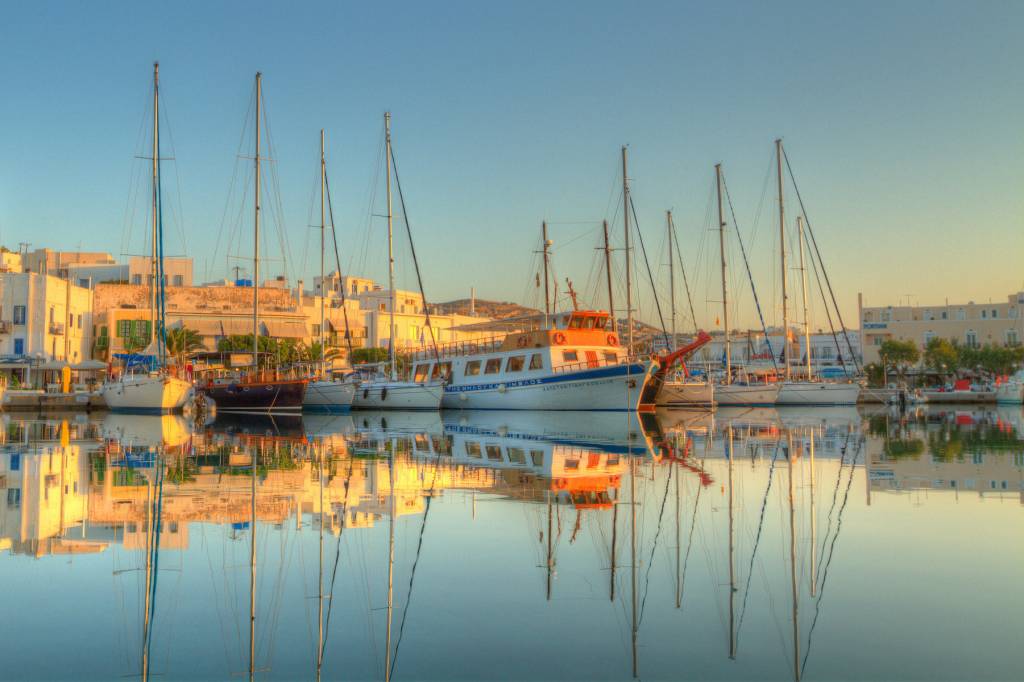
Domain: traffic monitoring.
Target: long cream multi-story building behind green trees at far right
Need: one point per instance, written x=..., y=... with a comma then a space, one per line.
x=971, y=324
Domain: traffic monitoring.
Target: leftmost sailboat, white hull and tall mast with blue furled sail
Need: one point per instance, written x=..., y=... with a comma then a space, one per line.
x=154, y=390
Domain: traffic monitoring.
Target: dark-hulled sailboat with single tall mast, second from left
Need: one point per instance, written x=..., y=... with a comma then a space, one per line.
x=257, y=392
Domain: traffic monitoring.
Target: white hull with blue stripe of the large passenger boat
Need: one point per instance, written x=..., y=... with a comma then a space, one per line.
x=615, y=389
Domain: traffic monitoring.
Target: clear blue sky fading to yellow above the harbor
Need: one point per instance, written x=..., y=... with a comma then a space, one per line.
x=902, y=122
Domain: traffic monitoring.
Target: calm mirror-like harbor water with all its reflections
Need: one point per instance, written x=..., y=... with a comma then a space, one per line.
x=763, y=544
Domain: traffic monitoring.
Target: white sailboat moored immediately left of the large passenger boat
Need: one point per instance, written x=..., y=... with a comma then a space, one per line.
x=391, y=393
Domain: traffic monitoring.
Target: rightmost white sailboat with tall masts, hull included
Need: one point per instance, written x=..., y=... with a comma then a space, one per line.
x=808, y=392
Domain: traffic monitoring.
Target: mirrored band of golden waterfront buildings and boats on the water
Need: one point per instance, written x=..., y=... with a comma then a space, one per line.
x=78, y=486
